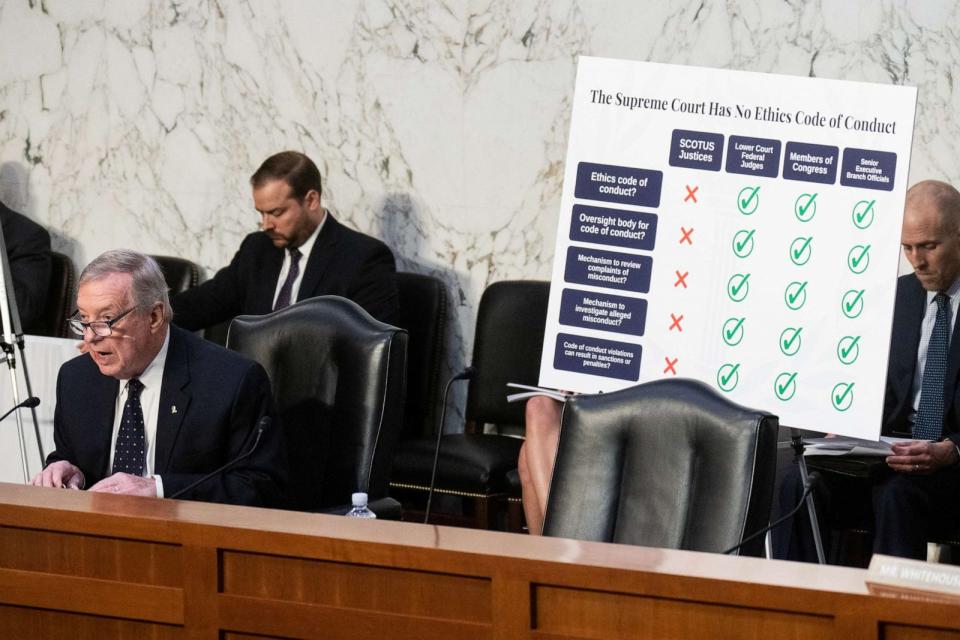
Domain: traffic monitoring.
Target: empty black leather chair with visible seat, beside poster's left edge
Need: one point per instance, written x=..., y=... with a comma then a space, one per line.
x=474, y=465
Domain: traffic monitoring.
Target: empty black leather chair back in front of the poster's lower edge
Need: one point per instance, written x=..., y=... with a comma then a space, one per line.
x=669, y=464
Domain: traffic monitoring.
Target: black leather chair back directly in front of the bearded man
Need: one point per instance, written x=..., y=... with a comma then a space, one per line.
x=338, y=381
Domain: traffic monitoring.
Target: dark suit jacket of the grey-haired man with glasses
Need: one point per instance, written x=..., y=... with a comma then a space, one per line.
x=219, y=396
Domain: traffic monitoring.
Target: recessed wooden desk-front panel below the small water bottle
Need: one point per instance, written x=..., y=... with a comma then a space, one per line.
x=355, y=586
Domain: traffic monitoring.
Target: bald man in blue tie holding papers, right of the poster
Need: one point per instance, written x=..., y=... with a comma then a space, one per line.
x=920, y=494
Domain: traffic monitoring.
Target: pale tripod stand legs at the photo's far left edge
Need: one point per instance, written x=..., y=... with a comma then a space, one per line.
x=13, y=335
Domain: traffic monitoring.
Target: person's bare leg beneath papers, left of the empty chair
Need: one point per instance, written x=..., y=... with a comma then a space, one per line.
x=537, y=457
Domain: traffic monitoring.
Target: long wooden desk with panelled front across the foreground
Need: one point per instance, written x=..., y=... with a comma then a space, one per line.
x=78, y=565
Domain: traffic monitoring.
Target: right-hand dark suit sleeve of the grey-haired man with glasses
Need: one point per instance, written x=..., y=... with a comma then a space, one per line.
x=258, y=480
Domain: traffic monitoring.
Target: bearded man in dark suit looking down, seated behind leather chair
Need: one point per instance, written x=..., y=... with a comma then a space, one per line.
x=300, y=252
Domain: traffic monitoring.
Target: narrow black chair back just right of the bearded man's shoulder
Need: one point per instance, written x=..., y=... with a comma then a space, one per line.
x=423, y=313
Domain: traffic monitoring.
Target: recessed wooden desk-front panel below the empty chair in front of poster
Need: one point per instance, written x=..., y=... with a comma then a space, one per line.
x=602, y=615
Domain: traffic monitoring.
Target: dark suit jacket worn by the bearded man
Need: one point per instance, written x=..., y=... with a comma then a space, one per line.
x=343, y=262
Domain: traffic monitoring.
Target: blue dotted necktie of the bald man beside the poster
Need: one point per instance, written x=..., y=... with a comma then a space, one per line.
x=928, y=424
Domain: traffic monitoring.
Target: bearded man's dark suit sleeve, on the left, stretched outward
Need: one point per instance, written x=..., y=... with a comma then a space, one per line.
x=217, y=300
